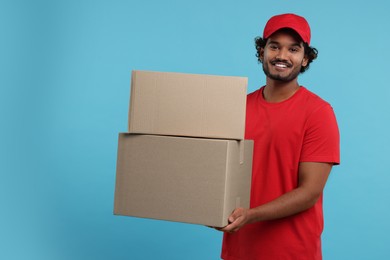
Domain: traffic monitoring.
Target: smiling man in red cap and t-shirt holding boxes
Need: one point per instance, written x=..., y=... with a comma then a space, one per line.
x=296, y=142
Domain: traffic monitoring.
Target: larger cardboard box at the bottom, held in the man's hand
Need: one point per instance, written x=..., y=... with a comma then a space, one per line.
x=192, y=180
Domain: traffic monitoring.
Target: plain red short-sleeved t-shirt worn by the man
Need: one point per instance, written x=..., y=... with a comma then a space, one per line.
x=302, y=128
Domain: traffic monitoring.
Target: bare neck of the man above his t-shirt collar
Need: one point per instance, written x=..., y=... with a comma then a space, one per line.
x=278, y=91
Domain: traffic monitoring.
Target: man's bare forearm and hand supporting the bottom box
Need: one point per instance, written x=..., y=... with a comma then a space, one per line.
x=312, y=179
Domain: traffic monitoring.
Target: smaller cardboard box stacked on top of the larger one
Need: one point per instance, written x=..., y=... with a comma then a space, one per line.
x=180, y=104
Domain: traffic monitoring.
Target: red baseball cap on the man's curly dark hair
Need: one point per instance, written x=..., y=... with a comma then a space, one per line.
x=292, y=21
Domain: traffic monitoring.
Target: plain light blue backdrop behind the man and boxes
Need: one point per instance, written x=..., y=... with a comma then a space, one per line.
x=64, y=80
